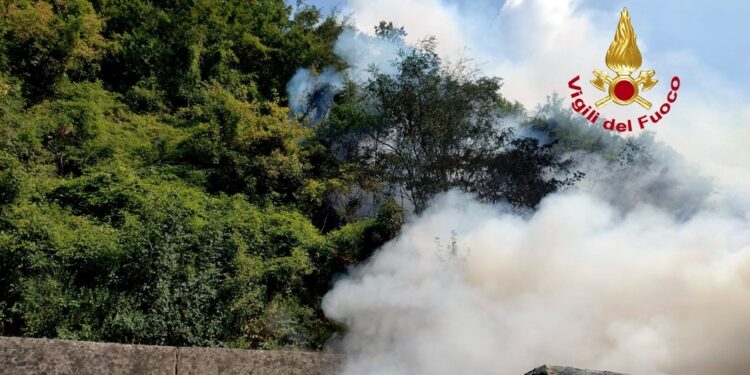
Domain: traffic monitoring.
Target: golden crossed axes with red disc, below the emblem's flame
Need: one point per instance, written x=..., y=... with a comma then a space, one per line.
x=623, y=89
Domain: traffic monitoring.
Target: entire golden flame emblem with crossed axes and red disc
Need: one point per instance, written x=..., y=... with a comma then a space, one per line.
x=624, y=57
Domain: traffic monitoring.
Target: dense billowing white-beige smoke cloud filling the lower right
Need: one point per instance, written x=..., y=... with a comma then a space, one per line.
x=579, y=283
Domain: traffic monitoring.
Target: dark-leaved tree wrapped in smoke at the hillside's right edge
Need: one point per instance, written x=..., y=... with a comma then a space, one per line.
x=431, y=127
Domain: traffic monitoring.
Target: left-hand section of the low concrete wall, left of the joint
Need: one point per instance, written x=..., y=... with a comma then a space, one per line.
x=42, y=356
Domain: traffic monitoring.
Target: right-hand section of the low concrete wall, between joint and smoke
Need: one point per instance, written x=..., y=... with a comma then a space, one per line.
x=199, y=361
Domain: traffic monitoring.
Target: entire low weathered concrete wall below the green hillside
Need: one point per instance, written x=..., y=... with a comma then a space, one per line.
x=42, y=356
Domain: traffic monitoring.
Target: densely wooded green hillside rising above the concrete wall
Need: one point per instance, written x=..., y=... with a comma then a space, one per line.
x=155, y=188
